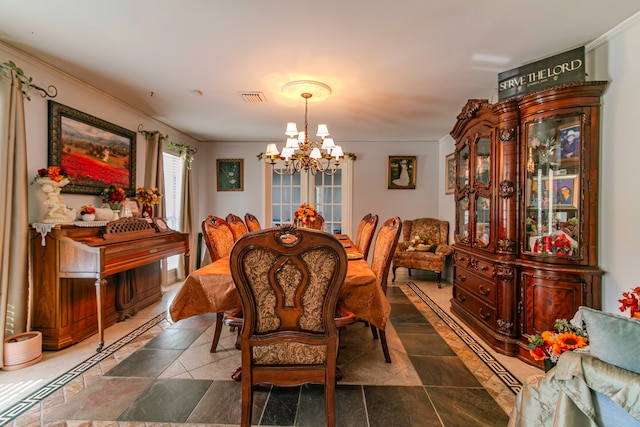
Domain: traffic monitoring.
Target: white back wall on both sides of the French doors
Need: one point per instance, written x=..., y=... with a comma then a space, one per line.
x=369, y=181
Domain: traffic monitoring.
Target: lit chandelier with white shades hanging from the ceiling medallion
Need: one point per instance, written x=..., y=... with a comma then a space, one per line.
x=299, y=153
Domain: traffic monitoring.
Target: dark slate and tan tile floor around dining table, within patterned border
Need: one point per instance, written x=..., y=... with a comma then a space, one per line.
x=173, y=379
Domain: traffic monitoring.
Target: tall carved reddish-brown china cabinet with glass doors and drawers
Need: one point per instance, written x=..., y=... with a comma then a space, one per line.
x=525, y=250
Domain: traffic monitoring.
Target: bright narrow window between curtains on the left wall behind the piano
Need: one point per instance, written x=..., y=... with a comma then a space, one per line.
x=173, y=172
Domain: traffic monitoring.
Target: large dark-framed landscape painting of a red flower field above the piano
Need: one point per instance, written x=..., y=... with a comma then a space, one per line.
x=95, y=152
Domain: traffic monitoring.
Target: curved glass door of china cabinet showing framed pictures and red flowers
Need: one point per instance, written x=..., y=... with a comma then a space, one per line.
x=552, y=193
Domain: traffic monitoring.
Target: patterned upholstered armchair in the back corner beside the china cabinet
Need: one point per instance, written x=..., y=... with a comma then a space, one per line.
x=432, y=260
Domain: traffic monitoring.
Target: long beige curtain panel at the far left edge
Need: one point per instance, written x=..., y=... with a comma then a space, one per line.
x=14, y=228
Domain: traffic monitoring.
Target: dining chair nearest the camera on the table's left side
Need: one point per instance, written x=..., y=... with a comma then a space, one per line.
x=219, y=240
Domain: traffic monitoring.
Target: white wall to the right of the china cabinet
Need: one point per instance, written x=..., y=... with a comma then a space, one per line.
x=615, y=58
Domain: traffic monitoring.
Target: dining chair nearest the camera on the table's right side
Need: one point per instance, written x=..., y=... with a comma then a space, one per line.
x=386, y=241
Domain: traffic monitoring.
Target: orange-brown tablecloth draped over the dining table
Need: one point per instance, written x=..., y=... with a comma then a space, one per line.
x=210, y=289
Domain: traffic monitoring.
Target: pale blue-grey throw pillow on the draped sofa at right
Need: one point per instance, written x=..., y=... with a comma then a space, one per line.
x=613, y=338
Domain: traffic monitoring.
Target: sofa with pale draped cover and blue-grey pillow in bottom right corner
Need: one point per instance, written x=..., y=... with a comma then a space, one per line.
x=597, y=385
